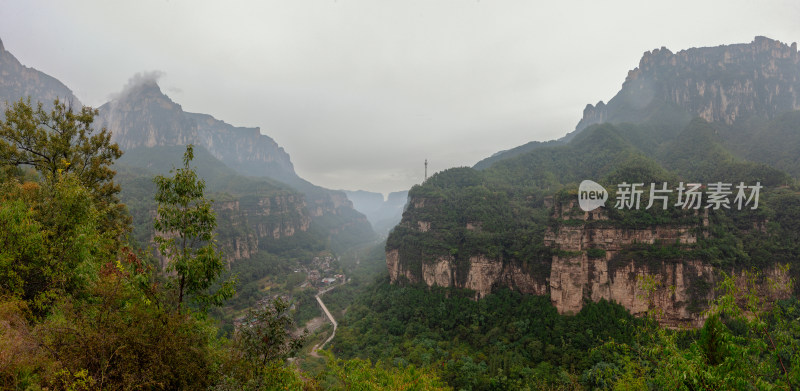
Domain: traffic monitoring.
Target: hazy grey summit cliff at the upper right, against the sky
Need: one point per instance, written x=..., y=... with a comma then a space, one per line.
x=724, y=83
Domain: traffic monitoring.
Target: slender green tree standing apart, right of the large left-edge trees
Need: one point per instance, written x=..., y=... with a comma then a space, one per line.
x=185, y=225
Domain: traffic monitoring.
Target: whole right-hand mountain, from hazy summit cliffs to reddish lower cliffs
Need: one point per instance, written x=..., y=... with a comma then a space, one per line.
x=725, y=114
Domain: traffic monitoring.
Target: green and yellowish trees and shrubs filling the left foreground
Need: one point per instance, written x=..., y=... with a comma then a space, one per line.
x=81, y=309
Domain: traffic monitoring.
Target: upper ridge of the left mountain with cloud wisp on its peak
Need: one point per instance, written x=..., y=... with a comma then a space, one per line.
x=143, y=117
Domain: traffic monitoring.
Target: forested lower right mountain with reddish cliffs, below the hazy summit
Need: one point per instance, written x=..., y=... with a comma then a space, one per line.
x=517, y=224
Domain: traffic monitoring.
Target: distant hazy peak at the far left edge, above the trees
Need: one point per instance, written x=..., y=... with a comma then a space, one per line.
x=18, y=81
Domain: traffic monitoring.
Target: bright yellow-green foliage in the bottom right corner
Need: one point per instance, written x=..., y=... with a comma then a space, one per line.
x=746, y=342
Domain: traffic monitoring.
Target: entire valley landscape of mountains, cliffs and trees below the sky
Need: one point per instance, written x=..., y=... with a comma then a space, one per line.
x=123, y=265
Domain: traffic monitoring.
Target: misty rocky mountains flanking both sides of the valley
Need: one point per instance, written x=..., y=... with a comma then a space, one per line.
x=726, y=114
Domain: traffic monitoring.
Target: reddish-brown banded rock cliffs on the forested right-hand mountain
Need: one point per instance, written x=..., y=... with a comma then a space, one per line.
x=679, y=289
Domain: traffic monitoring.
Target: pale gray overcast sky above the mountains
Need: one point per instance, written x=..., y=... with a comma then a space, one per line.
x=359, y=93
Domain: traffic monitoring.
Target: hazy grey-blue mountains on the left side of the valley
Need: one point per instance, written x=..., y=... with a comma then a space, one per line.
x=263, y=205
